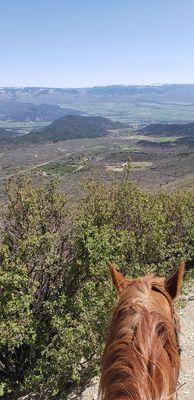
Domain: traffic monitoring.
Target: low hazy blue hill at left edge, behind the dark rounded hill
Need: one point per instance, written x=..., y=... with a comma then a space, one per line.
x=25, y=112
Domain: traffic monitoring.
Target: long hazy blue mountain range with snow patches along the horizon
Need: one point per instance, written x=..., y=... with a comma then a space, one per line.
x=164, y=93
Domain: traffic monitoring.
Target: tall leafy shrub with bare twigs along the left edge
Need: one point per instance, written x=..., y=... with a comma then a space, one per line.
x=35, y=258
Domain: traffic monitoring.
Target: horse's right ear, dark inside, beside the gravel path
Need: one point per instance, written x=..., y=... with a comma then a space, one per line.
x=174, y=283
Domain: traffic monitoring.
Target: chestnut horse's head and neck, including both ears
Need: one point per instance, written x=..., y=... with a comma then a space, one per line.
x=142, y=355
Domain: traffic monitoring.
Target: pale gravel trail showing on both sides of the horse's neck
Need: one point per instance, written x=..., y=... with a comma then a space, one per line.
x=185, y=389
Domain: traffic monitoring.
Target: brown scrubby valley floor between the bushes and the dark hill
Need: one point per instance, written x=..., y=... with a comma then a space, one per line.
x=153, y=167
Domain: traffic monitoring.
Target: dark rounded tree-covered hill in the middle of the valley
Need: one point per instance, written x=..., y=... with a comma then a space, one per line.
x=71, y=127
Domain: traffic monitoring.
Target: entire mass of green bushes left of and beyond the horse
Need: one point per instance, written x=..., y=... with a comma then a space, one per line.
x=56, y=295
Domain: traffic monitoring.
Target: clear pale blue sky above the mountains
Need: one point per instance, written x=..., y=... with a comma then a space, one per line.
x=78, y=43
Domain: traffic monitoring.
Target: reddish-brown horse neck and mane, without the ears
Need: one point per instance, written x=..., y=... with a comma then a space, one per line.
x=140, y=359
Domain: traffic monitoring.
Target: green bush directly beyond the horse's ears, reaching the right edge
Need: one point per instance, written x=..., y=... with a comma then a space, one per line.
x=143, y=232
